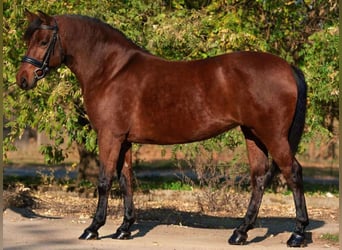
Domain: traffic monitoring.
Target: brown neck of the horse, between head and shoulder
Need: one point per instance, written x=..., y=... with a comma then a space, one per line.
x=93, y=48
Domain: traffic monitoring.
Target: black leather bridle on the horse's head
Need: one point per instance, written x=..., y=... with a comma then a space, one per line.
x=43, y=67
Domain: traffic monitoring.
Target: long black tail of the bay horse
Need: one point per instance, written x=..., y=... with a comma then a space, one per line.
x=298, y=122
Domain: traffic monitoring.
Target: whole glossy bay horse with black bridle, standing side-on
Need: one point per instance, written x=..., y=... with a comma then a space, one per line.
x=132, y=96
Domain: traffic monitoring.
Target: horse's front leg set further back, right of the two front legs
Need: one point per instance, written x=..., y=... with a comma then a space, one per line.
x=125, y=175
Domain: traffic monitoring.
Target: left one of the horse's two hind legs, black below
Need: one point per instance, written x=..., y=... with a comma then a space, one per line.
x=261, y=176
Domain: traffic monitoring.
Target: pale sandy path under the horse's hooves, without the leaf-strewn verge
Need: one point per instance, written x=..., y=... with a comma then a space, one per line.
x=21, y=232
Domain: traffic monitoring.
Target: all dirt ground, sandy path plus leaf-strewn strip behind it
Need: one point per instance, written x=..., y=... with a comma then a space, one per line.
x=166, y=220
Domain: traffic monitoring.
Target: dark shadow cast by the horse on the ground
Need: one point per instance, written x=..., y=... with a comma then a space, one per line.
x=148, y=219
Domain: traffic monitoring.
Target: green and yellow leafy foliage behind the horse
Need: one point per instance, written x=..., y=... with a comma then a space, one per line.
x=302, y=32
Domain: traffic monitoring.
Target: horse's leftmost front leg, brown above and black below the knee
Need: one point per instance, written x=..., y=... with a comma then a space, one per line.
x=109, y=154
